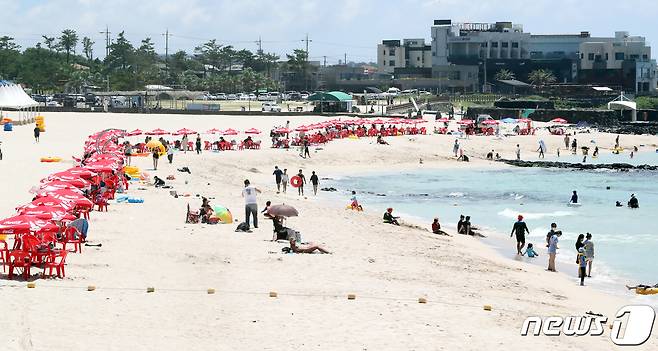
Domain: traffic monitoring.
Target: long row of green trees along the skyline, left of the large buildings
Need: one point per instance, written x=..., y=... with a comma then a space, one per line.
x=67, y=63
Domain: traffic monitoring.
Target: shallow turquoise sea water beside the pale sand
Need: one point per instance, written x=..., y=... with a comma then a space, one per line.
x=626, y=240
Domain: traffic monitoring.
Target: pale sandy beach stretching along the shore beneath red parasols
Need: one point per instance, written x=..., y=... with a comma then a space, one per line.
x=388, y=268
